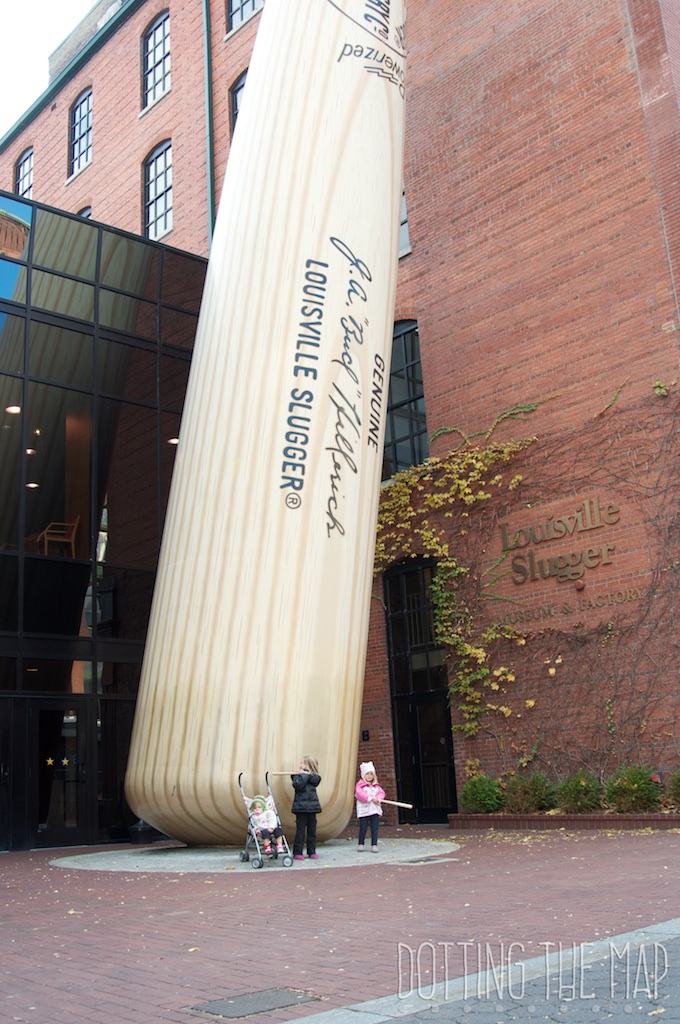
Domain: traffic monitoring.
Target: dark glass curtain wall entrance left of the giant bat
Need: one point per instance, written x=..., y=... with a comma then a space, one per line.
x=97, y=331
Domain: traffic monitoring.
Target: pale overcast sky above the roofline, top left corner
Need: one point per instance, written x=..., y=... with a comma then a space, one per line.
x=31, y=31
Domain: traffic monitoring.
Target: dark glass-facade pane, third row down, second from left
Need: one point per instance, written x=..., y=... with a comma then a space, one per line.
x=60, y=355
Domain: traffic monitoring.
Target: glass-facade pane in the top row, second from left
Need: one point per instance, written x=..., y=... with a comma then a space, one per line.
x=65, y=245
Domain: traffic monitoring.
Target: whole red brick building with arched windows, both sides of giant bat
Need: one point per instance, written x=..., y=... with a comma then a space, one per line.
x=543, y=152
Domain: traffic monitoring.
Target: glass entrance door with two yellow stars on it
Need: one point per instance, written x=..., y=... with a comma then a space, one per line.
x=60, y=798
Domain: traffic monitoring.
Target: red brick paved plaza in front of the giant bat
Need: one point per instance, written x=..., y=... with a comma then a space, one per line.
x=109, y=947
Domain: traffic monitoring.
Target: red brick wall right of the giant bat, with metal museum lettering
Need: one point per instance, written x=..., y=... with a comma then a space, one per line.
x=543, y=216
